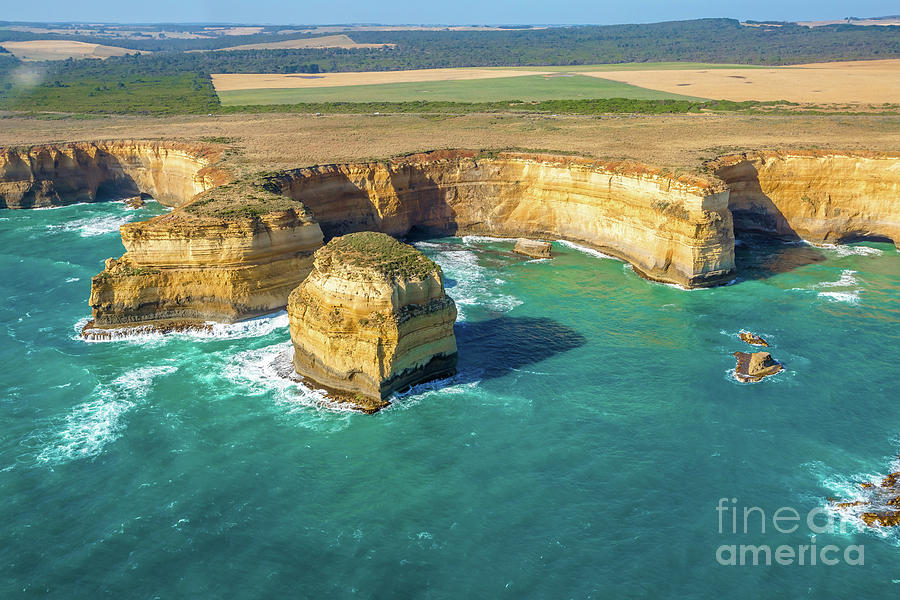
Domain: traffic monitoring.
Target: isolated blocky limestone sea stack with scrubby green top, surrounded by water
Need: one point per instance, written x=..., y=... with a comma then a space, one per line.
x=372, y=318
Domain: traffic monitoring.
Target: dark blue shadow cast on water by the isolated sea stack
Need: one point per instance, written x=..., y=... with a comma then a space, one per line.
x=489, y=349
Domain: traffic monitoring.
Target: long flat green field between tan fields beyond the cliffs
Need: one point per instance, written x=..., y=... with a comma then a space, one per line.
x=527, y=88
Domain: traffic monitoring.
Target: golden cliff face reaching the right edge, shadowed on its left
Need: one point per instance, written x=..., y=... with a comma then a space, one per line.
x=818, y=197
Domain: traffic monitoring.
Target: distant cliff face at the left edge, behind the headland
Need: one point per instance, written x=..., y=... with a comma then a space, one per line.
x=56, y=175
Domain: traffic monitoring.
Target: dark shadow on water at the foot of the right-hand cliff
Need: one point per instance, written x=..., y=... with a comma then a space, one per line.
x=761, y=256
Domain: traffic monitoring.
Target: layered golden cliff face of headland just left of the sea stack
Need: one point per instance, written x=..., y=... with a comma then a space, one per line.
x=180, y=270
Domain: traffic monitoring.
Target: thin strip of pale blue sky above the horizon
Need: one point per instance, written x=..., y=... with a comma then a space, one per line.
x=432, y=11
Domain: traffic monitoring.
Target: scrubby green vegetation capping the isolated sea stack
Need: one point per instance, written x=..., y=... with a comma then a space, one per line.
x=379, y=252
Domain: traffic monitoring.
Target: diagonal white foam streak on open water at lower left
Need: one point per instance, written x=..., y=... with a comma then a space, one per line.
x=92, y=425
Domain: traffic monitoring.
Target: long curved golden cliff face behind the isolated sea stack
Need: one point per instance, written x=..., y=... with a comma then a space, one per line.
x=671, y=229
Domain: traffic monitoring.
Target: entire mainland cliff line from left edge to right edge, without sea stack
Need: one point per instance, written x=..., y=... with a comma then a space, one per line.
x=237, y=249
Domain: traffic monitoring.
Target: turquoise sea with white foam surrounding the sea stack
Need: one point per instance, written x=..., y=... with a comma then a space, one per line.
x=580, y=452
